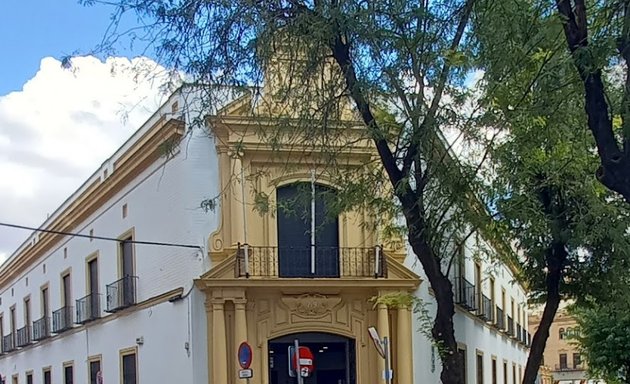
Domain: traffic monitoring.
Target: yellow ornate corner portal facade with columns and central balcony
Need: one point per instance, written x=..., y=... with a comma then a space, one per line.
x=251, y=293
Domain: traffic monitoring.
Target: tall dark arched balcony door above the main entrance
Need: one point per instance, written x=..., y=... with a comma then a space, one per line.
x=295, y=227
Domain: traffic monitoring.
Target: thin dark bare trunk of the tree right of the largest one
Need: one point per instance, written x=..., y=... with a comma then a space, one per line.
x=551, y=307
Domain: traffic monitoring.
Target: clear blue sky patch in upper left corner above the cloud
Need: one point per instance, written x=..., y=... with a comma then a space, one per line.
x=34, y=29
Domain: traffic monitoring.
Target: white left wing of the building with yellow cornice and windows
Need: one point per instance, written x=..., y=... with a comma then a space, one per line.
x=86, y=309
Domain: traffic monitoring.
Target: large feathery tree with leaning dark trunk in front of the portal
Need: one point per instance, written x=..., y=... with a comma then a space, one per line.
x=402, y=66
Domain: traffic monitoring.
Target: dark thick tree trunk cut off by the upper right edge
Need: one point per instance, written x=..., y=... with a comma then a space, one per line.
x=598, y=37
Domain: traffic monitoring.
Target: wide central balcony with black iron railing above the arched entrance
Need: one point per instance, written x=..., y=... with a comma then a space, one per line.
x=296, y=262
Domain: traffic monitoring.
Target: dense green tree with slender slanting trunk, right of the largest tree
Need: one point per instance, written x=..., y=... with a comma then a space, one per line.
x=566, y=225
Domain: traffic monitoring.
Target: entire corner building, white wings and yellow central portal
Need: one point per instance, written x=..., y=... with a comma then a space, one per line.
x=159, y=289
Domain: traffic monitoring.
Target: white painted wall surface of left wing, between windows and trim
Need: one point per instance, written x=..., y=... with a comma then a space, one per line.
x=163, y=205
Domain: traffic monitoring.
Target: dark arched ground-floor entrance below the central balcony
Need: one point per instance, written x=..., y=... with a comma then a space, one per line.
x=334, y=358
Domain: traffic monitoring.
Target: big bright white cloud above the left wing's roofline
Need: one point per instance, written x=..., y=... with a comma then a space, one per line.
x=61, y=126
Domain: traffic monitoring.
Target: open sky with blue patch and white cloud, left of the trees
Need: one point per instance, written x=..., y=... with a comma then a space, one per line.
x=57, y=126
